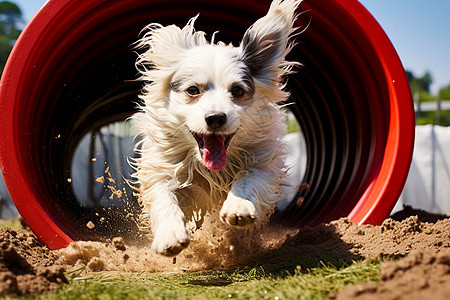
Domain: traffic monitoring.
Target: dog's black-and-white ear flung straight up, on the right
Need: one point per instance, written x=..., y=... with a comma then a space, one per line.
x=266, y=43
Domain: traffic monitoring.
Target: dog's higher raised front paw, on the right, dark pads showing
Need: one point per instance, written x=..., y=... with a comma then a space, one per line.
x=238, y=212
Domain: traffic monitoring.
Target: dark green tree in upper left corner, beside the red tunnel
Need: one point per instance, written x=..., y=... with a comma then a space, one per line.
x=10, y=22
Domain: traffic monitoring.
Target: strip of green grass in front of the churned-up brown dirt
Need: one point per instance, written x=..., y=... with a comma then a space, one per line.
x=254, y=283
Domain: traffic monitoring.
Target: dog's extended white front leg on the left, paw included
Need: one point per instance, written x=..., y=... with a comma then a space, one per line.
x=167, y=222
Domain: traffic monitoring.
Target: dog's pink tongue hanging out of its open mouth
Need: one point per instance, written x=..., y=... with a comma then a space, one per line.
x=214, y=152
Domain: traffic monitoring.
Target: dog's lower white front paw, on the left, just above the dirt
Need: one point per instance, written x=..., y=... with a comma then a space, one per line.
x=170, y=240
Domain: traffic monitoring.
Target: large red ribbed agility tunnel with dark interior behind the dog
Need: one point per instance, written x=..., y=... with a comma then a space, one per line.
x=72, y=69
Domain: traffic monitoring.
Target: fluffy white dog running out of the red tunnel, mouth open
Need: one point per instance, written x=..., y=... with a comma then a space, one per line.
x=211, y=127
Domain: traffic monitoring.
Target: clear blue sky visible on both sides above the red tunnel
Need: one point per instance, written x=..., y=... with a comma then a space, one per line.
x=418, y=29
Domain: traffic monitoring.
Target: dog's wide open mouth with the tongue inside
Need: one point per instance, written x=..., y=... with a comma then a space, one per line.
x=213, y=149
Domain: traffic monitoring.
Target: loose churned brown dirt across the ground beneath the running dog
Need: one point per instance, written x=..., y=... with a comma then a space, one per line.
x=26, y=266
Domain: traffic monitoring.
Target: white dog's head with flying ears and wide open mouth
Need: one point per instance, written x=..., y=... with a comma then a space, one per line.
x=213, y=88
